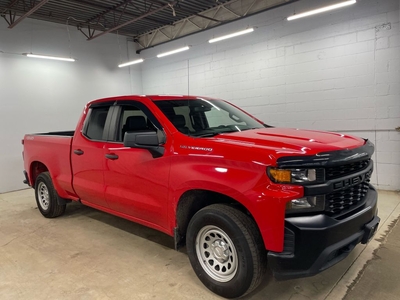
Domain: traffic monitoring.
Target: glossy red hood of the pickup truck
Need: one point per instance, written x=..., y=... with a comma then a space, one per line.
x=292, y=141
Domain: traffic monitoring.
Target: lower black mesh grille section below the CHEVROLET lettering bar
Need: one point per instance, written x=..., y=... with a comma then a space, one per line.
x=342, y=200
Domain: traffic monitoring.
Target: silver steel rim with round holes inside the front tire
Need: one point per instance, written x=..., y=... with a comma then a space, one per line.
x=216, y=253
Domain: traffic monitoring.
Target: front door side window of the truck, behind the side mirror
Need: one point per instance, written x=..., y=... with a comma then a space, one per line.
x=132, y=118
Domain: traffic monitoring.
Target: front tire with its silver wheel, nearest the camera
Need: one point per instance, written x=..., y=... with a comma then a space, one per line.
x=217, y=236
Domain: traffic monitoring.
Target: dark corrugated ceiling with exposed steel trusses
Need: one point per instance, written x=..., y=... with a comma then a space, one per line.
x=146, y=22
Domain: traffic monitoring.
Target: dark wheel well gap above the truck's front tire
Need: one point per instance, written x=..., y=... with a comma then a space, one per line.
x=191, y=202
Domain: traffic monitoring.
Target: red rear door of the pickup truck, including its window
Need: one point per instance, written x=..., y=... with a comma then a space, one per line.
x=87, y=157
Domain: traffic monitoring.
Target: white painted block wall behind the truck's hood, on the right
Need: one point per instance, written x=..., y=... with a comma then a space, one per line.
x=336, y=71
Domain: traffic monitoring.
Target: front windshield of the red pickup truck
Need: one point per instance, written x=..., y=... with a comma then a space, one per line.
x=204, y=118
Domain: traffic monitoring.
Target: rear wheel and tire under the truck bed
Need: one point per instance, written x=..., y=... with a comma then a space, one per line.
x=47, y=198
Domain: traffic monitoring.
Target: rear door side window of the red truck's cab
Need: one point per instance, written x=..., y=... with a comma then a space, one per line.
x=94, y=128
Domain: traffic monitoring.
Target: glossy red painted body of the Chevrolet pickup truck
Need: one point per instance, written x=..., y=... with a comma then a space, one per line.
x=147, y=190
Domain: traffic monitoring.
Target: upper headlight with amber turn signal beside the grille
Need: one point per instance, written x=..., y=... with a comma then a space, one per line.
x=292, y=175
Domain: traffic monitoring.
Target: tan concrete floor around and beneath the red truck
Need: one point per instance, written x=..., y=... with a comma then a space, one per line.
x=87, y=254
